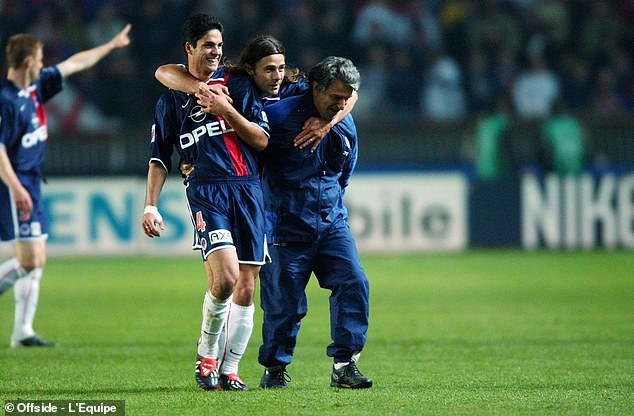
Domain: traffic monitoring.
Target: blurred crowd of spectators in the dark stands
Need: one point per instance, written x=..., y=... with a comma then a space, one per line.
x=433, y=59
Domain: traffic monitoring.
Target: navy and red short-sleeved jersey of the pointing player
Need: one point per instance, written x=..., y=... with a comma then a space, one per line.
x=23, y=130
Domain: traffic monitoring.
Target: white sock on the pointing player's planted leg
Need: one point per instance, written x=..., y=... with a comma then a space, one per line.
x=26, y=291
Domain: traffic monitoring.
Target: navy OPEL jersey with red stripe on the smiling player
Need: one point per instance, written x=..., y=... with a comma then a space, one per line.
x=207, y=140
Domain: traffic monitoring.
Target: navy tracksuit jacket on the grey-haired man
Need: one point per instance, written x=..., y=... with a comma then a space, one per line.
x=289, y=172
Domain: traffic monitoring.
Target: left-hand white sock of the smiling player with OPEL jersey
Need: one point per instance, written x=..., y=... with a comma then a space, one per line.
x=214, y=316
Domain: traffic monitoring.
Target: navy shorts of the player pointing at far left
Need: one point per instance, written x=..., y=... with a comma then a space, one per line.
x=11, y=227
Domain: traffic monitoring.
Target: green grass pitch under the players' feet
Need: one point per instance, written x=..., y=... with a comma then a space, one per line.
x=498, y=332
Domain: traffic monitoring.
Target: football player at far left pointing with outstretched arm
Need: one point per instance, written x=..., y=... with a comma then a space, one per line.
x=23, y=138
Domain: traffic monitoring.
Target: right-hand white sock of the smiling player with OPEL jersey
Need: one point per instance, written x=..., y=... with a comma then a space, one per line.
x=239, y=328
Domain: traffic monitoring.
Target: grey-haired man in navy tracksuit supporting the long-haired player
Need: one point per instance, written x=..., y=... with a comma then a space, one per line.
x=307, y=228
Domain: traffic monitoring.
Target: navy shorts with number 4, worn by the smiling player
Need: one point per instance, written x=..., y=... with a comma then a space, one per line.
x=229, y=213
